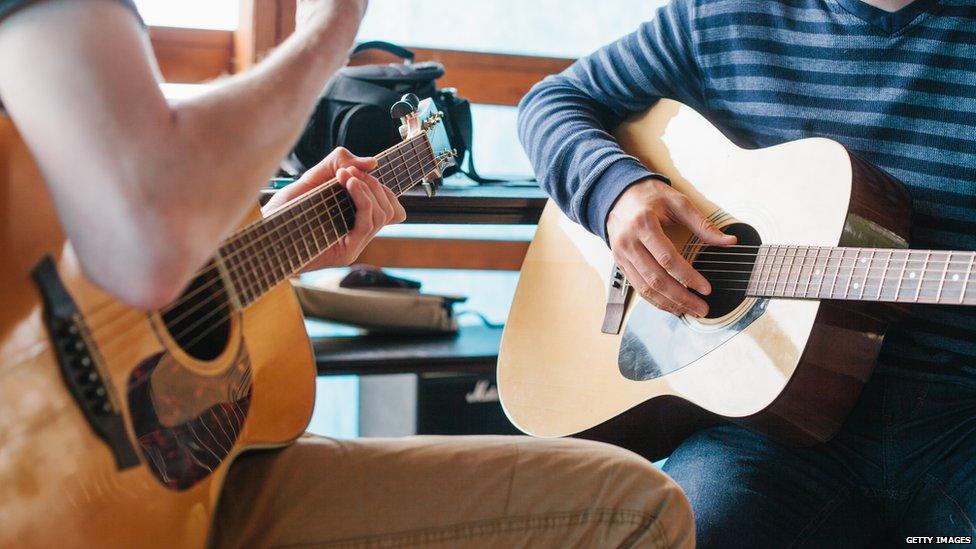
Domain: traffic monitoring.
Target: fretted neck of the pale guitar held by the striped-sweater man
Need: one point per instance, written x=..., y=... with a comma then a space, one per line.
x=865, y=274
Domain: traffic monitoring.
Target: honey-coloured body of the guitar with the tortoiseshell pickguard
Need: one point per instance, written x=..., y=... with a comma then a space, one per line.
x=184, y=419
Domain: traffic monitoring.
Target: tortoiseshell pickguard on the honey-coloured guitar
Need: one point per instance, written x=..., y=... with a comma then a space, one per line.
x=186, y=424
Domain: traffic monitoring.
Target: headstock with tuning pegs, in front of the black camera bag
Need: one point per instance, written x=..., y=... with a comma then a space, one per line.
x=423, y=118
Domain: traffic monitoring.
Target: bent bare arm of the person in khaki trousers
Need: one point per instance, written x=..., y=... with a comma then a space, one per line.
x=144, y=189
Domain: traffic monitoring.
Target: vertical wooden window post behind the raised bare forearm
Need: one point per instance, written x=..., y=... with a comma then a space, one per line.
x=263, y=25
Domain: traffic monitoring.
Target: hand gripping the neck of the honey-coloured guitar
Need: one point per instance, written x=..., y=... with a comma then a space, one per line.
x=376, y=205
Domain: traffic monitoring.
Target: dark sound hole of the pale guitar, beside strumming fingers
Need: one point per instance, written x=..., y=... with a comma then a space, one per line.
x=728, y=269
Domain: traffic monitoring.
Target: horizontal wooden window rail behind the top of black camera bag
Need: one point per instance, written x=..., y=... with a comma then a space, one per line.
x=482, y=77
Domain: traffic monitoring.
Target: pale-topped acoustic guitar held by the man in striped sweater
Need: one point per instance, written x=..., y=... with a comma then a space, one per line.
x=797, y=316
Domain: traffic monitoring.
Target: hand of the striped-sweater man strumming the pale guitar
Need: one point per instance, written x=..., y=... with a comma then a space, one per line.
x=650, y=261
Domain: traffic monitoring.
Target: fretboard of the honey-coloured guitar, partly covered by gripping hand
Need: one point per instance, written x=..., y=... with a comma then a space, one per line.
x=269, y=251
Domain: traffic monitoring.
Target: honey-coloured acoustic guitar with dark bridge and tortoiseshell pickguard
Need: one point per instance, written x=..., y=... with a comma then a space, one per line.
x=117, y=426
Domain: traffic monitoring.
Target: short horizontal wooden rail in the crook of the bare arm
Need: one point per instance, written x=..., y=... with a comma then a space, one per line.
x=192, y=55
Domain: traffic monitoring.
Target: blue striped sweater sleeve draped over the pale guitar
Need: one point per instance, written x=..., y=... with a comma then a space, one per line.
x=565, y=121
